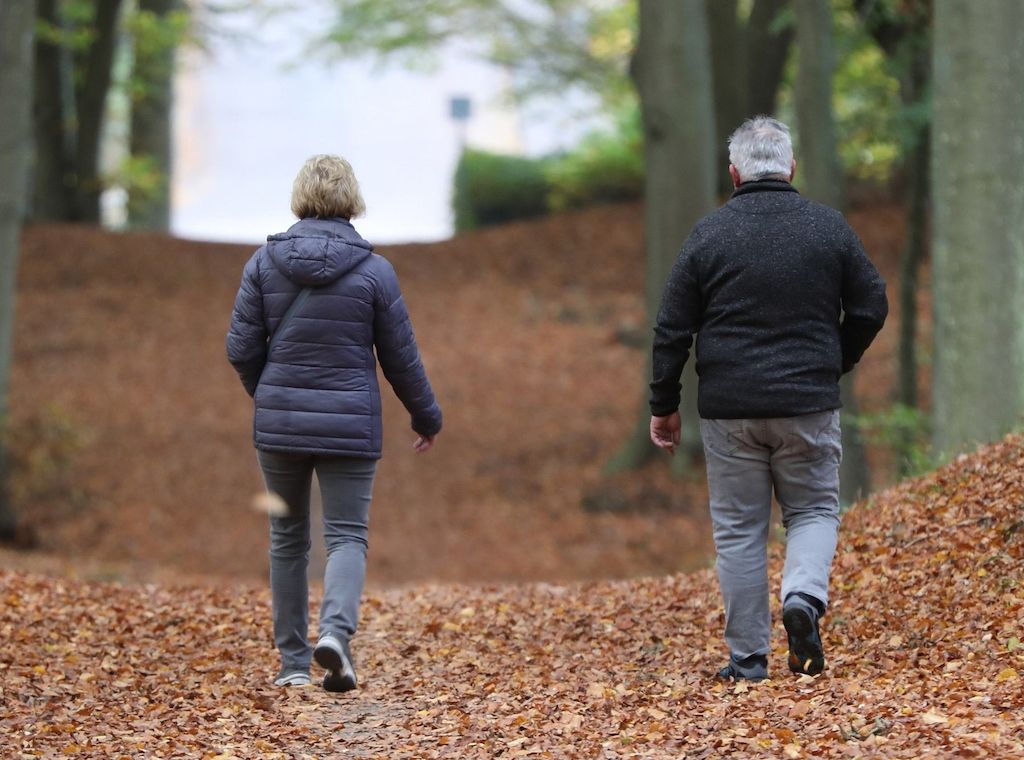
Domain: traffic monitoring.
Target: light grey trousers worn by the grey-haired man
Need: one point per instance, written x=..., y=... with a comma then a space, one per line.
x=799, y=457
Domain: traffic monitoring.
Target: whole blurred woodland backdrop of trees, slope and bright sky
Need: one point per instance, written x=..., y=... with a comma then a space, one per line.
x=532, y=168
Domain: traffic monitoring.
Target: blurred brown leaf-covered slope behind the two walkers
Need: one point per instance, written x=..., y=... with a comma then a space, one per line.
x=135, y=435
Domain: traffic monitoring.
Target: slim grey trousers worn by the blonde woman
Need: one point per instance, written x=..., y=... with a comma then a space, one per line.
x=347, y=488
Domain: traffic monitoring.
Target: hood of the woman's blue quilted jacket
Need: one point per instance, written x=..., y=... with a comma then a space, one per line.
x=316, y=252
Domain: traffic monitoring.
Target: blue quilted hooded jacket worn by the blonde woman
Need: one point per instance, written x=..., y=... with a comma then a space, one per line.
x=319, y=392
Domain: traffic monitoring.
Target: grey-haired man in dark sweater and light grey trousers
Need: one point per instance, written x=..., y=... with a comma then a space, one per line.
x=783, y=300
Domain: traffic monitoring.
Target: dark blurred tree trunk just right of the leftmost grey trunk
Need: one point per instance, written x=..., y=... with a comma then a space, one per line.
x=54, y=193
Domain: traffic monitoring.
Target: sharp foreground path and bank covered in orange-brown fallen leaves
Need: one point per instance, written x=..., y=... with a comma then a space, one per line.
x=923, y=641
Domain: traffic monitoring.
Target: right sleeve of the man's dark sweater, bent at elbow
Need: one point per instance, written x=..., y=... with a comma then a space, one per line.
x=865, y=304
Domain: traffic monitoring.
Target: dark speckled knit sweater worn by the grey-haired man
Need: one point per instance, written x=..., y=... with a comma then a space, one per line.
x=783, y=300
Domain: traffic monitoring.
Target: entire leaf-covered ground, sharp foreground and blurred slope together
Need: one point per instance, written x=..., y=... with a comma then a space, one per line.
x=503, y=619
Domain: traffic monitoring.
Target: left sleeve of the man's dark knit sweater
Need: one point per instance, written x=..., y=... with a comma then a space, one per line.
x=678, y=321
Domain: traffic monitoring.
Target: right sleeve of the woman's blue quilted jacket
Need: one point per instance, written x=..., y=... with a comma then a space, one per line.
x=400, y=357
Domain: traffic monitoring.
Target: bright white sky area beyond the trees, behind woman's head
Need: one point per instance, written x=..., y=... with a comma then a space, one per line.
x=250, y=110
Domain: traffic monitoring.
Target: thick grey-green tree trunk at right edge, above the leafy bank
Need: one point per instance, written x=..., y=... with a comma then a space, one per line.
x=978, y=241
